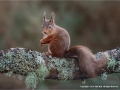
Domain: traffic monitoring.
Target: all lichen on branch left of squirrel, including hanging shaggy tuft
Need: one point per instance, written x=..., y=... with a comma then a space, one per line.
x=24, y=62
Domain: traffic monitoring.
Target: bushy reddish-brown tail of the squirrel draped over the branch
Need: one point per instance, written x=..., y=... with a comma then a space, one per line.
x=88, y=64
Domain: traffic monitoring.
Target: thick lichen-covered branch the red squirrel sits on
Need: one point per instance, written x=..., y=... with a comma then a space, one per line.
x=33, y=64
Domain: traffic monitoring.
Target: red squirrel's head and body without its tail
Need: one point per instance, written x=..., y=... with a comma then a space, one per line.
x=57, y=38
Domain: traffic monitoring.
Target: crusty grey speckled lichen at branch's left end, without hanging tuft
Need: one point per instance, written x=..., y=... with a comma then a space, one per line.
x=18, y=60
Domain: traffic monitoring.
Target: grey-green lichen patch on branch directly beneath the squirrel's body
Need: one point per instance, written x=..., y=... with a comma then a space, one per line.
x=64, y=68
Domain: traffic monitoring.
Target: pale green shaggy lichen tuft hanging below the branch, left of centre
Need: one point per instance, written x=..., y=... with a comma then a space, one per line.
x=39, y=75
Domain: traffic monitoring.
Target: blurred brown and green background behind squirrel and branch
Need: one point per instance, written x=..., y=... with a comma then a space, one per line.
x=95, y=24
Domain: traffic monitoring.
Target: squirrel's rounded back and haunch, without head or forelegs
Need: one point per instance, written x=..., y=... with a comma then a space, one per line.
x=60, y=44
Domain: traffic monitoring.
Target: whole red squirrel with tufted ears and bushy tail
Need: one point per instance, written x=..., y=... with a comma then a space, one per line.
x=58, y=40
